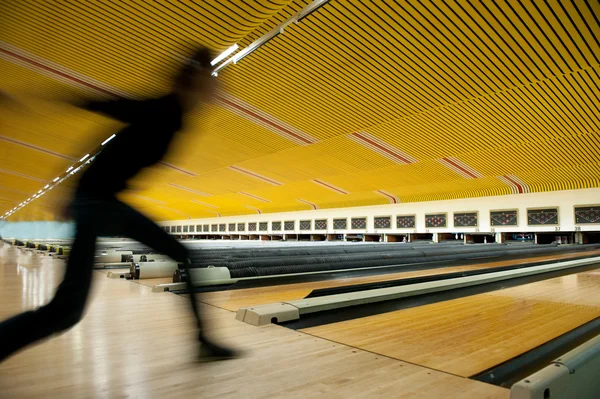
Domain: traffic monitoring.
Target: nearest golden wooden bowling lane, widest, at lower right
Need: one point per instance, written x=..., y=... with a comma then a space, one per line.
x=469, y=335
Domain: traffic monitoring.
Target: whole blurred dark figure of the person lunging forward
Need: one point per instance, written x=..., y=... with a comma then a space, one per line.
x=151, y=126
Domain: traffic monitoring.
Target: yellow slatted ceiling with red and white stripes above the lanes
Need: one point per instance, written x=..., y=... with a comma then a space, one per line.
x=507, y=88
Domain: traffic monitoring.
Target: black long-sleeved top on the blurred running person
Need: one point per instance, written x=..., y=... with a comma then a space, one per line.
x=152, y=126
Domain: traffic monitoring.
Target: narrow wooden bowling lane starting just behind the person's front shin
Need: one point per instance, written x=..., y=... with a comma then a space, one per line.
x=235, y=299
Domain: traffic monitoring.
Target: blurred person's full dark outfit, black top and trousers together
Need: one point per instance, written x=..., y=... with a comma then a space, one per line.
x=97, y=212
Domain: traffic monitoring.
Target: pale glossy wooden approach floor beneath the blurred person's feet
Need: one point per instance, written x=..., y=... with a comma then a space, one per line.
x=137, y=344
